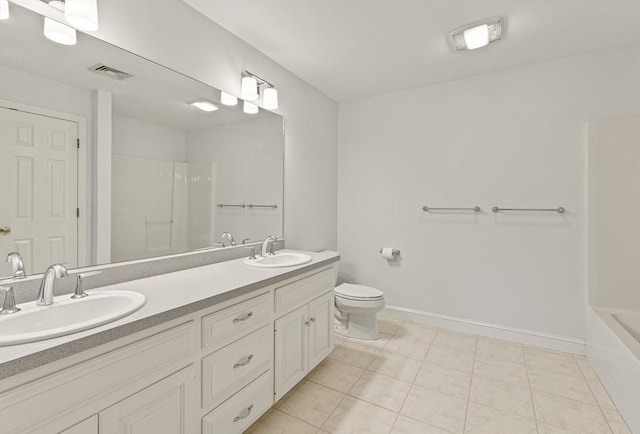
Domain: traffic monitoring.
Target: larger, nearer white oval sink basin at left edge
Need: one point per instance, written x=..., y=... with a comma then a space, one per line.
x=66, y=316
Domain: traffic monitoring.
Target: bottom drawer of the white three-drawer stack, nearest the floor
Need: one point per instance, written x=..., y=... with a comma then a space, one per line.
x=241, y=410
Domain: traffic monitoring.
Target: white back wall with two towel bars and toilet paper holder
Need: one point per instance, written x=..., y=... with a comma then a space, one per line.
x=514, y=138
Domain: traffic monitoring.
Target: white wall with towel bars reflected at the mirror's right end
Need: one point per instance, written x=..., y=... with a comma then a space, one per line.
x=249, y=157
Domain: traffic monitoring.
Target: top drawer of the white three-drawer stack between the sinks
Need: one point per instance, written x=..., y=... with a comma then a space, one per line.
x=227, y=325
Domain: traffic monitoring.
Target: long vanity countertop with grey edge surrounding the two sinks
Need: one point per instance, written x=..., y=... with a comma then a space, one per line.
x=169, y=296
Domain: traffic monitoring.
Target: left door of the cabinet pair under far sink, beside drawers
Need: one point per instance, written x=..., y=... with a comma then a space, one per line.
x=290, y=350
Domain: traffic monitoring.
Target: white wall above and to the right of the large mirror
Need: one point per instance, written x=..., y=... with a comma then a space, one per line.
x=182, y=39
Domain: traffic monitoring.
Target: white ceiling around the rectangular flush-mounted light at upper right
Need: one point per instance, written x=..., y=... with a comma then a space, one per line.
x=351, y=49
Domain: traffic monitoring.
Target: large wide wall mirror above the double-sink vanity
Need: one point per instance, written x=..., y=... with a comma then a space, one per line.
x=103, y=158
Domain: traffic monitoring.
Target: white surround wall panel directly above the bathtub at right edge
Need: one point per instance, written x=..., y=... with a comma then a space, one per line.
x=614, y=213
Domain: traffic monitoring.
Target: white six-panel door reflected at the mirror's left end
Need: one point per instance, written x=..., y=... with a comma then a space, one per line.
x=38, y=190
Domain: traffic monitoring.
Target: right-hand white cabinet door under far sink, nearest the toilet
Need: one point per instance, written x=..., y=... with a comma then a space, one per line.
x=320, y=329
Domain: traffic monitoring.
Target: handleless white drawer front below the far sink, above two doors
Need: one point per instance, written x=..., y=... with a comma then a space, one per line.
x=301, y=291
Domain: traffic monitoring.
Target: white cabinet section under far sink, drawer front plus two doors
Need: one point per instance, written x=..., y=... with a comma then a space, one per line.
x=304, y=335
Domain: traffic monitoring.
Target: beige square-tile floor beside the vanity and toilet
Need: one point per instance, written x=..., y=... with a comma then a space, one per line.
x=419, y=380
